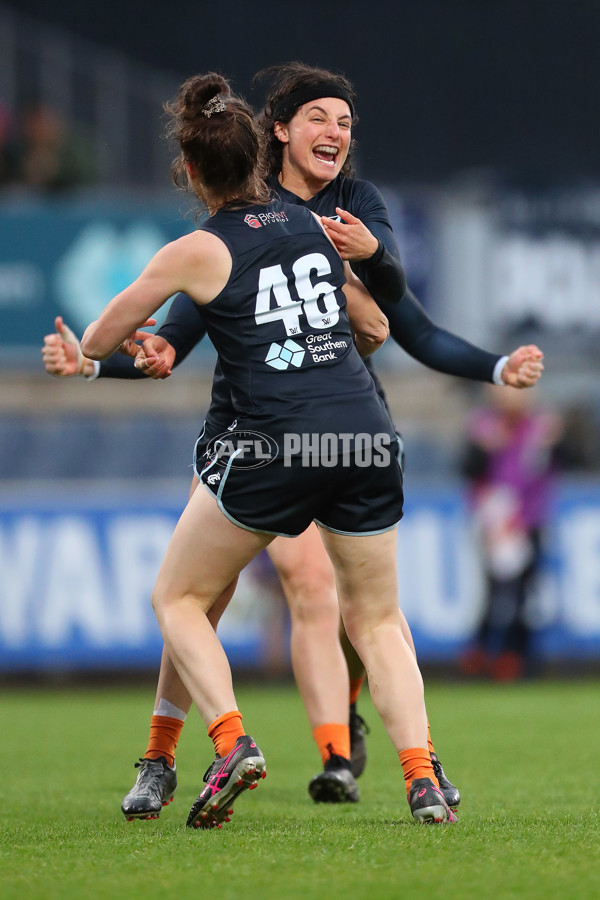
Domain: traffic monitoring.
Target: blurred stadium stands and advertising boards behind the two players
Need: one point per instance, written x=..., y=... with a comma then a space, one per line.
x=476, y=121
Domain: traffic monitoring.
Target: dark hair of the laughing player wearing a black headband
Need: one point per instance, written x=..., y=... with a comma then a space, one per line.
x=287, y=79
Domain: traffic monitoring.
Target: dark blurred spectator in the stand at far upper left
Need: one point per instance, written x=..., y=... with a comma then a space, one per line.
x=46, y=154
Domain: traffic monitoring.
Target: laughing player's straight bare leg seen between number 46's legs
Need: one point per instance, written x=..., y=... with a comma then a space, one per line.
x=308, y=582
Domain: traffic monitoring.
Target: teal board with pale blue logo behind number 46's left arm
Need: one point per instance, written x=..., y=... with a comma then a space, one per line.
x=70, y=258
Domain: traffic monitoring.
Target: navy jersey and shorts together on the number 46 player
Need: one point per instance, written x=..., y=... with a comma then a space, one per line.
x=287, y=352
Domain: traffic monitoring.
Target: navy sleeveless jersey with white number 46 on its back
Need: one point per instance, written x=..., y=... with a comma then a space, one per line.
x=281, y=329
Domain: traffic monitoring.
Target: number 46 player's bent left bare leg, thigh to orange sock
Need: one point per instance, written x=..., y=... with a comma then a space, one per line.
x=206, y=553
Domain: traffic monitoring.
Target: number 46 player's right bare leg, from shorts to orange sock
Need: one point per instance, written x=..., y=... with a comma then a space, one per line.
x=367, y=588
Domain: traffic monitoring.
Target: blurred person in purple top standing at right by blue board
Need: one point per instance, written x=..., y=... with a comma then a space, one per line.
x=512, y=455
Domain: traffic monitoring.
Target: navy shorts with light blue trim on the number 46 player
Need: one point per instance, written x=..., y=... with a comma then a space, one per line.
x=348, y=497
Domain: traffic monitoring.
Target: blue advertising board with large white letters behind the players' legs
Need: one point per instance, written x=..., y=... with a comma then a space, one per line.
x=78, y=566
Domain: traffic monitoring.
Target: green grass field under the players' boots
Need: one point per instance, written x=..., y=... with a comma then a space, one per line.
x=524, y=757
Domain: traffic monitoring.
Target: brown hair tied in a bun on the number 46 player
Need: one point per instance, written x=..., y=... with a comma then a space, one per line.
x=217, y=133
